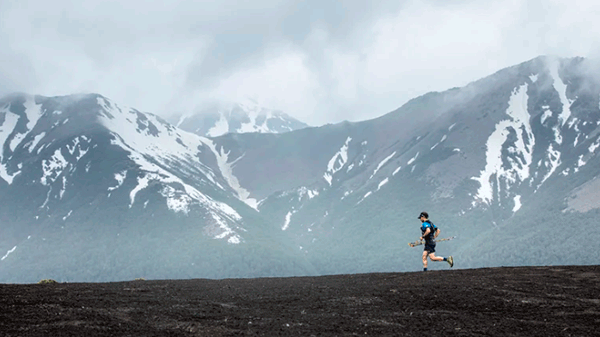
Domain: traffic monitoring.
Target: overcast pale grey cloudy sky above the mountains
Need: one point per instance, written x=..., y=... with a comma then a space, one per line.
x=320, y=61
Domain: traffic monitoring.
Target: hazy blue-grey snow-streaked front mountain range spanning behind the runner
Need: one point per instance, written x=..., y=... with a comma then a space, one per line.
x=94, y=191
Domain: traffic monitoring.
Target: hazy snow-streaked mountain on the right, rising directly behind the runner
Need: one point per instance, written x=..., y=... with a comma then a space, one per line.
x=506, y=163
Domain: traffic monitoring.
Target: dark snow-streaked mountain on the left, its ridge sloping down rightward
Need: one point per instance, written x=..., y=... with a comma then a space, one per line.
x=82, y=170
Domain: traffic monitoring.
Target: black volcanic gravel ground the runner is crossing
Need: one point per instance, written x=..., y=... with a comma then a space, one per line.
x=521, y=301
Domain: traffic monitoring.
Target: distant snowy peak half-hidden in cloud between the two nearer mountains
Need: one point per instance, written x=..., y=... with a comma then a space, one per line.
x=244, y=117
